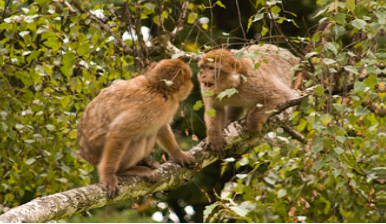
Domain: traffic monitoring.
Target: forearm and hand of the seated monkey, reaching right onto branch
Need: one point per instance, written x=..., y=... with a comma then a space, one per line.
x=166, y=139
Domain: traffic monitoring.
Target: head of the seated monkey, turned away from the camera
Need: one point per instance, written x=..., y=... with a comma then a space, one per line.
x=171, y=77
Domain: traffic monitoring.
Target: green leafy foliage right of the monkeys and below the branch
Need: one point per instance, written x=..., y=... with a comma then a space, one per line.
x=337, y=175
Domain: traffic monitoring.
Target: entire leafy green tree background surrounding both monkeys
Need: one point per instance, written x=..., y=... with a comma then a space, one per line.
x=325, y=163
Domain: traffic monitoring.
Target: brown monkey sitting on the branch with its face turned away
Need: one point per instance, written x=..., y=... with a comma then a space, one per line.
x=120, y=126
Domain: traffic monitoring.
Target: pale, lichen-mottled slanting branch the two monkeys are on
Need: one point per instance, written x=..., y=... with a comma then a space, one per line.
x=170, y=176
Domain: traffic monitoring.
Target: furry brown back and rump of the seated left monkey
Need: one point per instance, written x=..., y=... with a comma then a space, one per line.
x=125, y=96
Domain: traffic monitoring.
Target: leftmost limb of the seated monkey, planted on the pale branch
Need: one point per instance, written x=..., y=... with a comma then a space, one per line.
x=111, y=156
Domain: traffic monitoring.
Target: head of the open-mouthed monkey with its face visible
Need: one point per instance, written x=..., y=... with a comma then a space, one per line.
x=219, y=71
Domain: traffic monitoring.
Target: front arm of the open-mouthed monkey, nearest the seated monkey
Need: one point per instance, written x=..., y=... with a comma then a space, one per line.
x=214, y=125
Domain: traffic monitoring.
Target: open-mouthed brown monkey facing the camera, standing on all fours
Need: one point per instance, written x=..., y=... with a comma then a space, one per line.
x=258, y=91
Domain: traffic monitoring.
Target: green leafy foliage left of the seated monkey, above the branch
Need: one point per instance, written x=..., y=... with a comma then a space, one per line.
x=53, y=61
